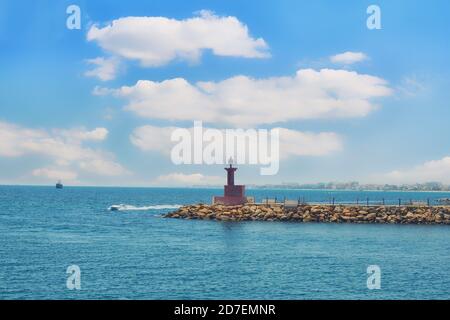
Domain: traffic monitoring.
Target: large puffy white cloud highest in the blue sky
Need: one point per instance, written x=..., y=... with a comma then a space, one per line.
x=155, y=41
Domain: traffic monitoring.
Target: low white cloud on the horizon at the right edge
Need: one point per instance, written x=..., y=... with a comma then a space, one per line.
x=434, y=170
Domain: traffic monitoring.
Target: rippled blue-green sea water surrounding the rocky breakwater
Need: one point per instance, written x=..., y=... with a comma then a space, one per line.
x=136, y=254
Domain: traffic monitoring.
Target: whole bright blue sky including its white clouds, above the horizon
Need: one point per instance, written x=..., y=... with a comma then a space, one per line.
x=96, y=105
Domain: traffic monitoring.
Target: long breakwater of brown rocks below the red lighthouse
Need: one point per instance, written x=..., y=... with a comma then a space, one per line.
x=316, y=213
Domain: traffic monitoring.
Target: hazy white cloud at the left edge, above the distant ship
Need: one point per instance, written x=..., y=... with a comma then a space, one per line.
x=64, y=148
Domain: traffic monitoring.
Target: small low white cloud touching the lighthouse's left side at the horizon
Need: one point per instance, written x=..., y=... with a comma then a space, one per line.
x=195, y=179
